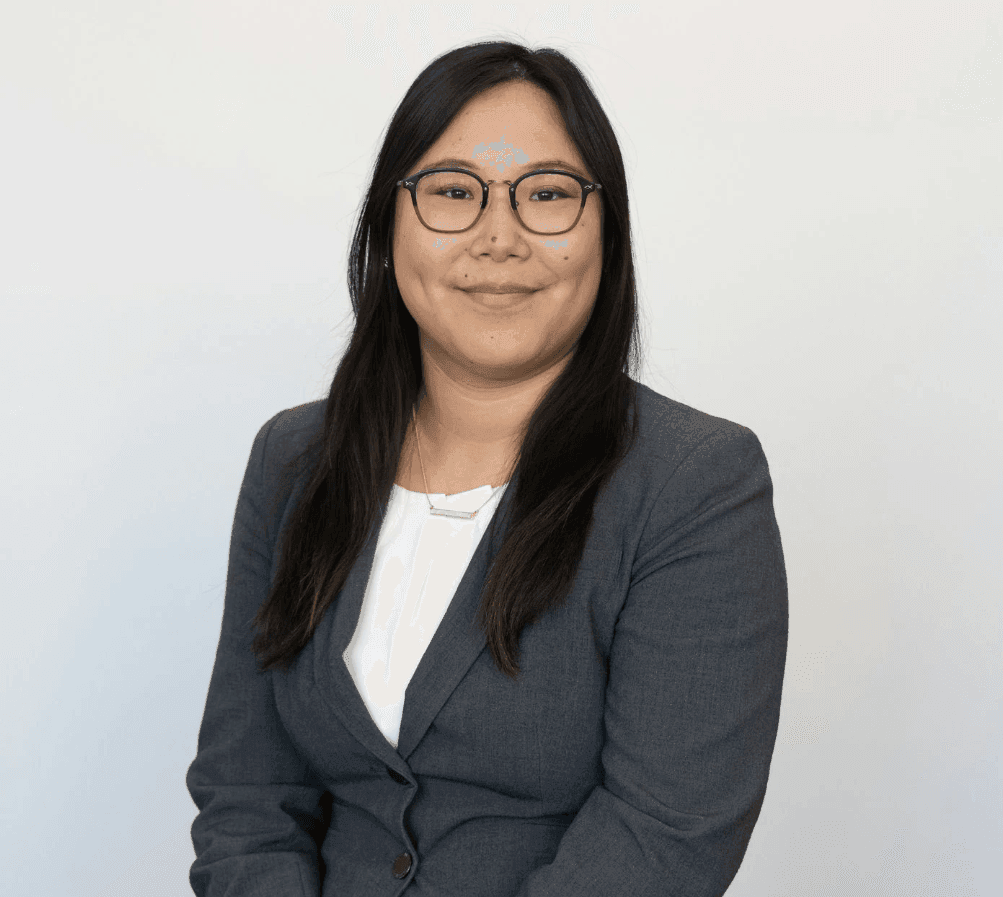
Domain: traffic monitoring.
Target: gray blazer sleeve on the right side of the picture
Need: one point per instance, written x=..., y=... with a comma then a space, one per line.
x=694, y=696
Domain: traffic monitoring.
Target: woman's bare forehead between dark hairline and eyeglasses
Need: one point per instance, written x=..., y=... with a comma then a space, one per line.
x=509, y=128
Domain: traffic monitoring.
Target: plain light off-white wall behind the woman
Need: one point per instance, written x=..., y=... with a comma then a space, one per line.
x=816, y=197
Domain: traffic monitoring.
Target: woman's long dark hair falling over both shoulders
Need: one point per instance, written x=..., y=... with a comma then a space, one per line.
x=580, y=432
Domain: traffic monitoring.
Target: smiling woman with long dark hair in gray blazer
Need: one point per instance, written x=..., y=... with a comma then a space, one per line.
x=499, y=620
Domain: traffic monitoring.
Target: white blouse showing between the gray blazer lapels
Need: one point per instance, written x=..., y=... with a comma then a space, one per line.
x=420, y=561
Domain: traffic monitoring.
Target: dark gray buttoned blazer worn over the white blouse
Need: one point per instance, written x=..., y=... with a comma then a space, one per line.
x=630, y=758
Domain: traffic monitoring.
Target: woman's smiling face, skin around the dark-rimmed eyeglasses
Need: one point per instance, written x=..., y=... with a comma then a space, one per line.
x=492, y=340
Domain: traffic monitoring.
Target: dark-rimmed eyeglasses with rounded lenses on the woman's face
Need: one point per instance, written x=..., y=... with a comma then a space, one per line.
x=446, y=200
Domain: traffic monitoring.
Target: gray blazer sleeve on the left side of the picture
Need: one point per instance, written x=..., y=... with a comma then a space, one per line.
x=260, y=812
